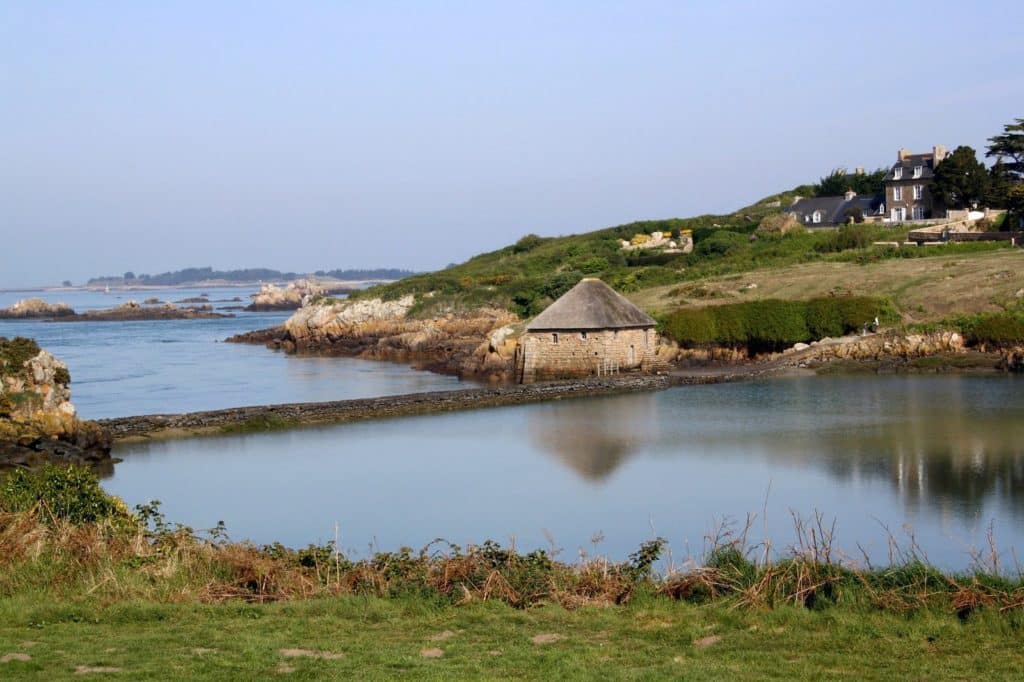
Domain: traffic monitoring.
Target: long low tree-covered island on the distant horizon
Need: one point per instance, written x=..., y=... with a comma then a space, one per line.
x=193, y=276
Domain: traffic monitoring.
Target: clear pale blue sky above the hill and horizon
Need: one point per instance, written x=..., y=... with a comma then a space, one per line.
x=300, y=136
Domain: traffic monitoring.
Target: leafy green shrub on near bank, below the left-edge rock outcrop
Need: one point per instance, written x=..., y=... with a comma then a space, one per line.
x=71, y=494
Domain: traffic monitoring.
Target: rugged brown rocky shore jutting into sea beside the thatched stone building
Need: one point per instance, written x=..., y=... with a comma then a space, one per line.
x=466, y=345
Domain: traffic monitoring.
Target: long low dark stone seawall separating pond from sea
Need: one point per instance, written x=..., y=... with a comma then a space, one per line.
x=272, y=417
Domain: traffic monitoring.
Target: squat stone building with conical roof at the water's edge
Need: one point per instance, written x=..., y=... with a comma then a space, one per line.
x=591, y=330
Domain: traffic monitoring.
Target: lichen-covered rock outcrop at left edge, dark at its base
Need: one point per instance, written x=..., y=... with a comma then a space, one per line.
x=38, y=422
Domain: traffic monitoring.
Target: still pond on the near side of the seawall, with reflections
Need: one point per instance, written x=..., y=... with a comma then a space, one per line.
x=937, y=457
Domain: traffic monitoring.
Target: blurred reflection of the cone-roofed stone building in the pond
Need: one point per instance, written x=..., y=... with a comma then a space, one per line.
x=595, y=438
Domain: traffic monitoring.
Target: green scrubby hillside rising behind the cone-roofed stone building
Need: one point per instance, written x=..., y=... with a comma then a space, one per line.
x=528, y=276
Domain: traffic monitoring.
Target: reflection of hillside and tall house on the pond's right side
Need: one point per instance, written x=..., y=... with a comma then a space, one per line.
x=949, y=444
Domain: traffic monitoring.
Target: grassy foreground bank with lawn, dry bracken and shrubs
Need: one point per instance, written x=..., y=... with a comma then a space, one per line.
x=89, y=587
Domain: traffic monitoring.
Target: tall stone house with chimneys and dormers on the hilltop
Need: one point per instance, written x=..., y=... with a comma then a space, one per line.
x=908, y=184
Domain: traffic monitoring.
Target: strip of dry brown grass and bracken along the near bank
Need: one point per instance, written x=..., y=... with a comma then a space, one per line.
x=109, y=563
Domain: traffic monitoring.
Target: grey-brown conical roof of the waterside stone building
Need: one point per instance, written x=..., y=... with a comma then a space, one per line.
x=591, y=305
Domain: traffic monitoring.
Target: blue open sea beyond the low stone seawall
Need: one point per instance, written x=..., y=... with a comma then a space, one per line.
x=121, y=369
